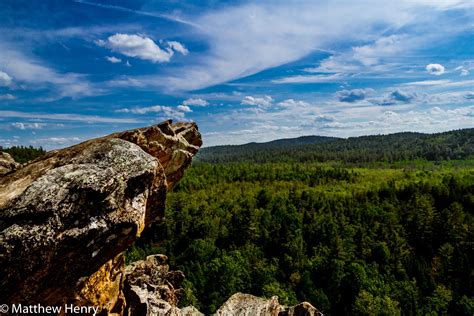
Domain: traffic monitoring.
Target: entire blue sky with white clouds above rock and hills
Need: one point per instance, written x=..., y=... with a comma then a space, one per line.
x=244, y=71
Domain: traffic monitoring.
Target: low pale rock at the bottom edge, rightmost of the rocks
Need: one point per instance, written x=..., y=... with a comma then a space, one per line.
x=241, y=304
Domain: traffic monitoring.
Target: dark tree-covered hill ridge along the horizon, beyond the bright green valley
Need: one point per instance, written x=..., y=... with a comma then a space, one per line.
x=458, y=144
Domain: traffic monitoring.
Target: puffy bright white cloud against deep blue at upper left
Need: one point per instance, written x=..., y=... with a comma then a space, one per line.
x=133, y=45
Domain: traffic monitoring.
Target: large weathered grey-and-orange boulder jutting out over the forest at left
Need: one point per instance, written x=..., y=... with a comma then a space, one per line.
x=66, y=217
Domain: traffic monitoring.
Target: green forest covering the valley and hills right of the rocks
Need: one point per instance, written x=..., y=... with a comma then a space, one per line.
x=379, y=225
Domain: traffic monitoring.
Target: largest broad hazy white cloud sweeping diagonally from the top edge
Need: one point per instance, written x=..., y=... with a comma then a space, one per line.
x=260, y=43
